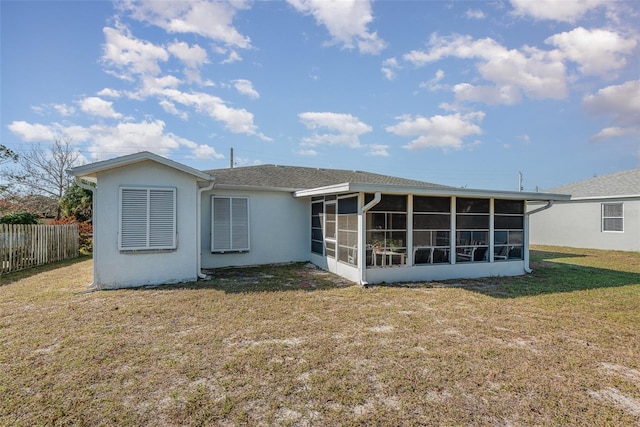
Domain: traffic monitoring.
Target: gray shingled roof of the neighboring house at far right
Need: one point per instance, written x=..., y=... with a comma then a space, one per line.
x=623, y=183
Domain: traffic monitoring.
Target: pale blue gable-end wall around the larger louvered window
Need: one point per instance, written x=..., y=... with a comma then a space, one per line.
x=117, y=269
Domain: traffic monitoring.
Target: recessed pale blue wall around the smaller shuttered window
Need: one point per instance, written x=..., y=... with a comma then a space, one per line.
x=279, y=230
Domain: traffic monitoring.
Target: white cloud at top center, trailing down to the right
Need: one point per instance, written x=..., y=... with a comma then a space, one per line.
x=346, y=21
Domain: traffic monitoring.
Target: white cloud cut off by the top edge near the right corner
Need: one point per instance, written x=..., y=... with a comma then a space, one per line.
x=564, y=10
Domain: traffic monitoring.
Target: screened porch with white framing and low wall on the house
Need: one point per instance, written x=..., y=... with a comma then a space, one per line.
x=373, y=235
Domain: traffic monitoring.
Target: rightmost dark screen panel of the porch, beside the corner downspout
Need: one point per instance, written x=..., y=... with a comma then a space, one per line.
x=508, y=229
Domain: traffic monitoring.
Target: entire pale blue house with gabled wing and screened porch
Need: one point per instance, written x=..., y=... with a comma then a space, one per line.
x=157, y=221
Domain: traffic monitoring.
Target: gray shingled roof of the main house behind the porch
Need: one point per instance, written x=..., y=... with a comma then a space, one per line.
x=301, y=178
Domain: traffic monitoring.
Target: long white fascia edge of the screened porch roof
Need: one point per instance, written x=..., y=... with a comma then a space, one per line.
x=428, y=191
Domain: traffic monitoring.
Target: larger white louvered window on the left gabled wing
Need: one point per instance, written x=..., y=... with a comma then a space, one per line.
x=147, y=218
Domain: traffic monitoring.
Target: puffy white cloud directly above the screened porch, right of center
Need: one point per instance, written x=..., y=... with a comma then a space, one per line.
x=438, y=131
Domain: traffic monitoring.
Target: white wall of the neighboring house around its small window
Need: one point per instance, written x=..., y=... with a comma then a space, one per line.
x=578, y=224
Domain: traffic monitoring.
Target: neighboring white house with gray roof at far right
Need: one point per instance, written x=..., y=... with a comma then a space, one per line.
x=603, y=213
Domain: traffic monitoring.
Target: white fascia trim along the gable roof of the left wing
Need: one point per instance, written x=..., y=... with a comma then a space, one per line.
x=90, y=170
